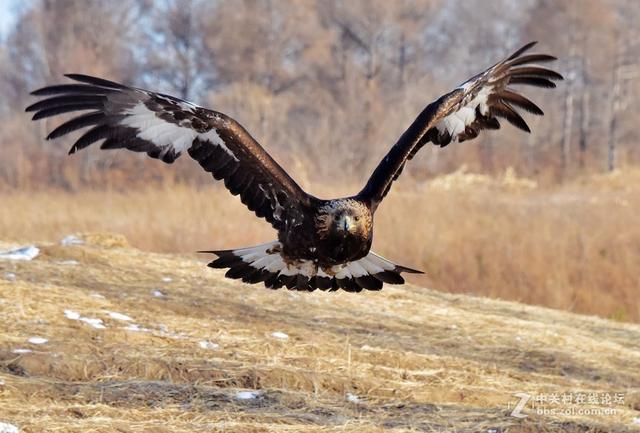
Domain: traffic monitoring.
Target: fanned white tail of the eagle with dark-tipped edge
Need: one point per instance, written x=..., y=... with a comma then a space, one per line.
x=265, y=263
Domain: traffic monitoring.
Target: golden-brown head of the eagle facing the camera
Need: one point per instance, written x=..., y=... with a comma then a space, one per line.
x=342, y=218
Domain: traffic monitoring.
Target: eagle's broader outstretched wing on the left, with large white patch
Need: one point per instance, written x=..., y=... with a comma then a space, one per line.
x=164, y=127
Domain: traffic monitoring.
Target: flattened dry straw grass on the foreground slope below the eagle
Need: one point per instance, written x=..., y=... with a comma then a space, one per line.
x=418, y=360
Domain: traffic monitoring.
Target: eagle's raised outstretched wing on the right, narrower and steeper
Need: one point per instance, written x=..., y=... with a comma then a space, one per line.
x=461, y=114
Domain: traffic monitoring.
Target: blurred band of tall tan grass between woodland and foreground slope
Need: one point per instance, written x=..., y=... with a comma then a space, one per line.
x=575, y=247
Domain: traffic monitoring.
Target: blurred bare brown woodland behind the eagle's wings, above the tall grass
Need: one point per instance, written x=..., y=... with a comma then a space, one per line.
x=327, y=86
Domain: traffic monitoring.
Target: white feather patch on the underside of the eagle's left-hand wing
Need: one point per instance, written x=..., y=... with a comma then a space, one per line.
x=168, y=135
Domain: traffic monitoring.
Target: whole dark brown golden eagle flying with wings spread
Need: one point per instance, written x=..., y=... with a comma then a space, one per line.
x=322, y=244
